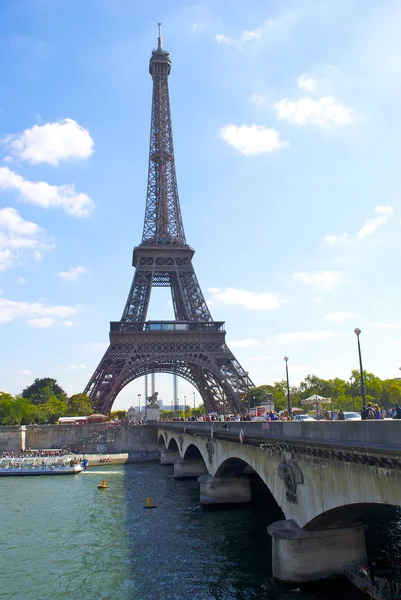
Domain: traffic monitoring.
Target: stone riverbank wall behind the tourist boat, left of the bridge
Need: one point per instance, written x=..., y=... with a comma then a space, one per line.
x=93, y=438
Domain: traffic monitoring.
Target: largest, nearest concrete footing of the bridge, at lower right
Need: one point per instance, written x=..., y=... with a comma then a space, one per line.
x=301, y=556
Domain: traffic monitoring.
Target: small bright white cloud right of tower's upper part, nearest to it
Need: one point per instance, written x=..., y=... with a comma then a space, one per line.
x=252, y=139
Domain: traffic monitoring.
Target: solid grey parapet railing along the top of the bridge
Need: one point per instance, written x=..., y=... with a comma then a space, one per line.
x=381, y=435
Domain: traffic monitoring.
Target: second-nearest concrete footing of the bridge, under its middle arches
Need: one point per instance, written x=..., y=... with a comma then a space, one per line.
x=224, y=490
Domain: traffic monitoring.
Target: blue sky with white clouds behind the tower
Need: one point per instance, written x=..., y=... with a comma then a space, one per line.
x=286, y=120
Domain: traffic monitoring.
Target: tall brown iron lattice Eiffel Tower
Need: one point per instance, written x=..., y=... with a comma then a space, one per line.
x=193, y=345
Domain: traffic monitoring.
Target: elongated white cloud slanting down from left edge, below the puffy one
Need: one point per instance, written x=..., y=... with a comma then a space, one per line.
x=46, y=195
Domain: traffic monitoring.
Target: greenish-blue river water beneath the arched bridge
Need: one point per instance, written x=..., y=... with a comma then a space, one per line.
x=62, y=538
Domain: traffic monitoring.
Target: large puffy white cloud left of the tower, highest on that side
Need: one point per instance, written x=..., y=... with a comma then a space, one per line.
x=51, y=143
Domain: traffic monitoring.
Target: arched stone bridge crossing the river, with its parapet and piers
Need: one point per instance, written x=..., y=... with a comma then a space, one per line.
x=321, y=475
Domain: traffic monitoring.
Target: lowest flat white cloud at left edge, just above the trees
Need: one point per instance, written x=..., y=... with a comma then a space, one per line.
x=37, y=313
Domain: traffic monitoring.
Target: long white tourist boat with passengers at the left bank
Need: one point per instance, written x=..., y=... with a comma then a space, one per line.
x=40, y=465
